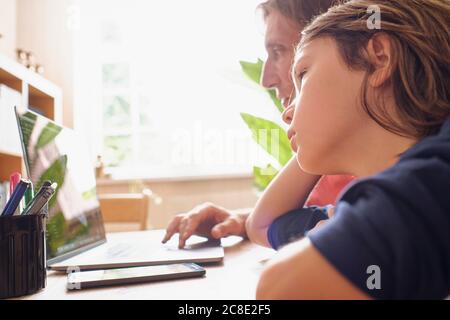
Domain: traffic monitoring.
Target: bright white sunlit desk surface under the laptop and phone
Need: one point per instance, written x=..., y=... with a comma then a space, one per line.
x=235, y=278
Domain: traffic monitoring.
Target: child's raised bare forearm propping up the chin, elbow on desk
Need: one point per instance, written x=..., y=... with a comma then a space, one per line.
x=288, y=191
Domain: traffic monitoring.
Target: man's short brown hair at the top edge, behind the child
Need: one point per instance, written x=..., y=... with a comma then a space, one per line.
x=300, y=11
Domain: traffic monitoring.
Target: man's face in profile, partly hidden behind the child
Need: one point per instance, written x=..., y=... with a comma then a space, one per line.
x=282, y=35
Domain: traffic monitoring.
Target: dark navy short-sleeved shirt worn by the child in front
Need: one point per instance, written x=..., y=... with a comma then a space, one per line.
x=394, y=226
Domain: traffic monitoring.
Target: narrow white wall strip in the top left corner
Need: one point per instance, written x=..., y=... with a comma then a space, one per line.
x=8, y=20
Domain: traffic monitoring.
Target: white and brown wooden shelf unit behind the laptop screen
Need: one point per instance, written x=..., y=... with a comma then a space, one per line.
x=35, y=91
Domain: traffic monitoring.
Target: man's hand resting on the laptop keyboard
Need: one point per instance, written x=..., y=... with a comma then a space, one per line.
x=207, y=220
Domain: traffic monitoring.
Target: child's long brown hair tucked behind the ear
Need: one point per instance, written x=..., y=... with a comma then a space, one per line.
x=419, y=31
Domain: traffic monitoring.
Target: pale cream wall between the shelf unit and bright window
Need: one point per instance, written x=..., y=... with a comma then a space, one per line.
x=42, y=27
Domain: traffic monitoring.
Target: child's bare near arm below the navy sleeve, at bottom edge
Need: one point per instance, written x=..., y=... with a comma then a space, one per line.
x=300, y=272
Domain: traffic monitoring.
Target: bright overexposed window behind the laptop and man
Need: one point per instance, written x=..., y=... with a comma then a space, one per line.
x=158, y=83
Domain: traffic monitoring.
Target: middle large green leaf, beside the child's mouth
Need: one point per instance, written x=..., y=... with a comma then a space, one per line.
x=270, y=136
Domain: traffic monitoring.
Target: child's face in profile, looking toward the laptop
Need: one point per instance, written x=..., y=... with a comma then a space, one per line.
x=328, y=123
